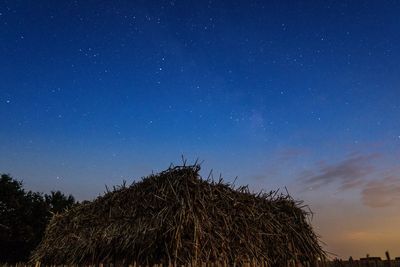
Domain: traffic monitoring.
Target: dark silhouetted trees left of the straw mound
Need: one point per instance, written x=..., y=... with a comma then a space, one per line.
x=24, y=216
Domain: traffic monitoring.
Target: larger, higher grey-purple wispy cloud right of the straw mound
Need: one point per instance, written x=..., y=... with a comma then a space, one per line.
x=349, y=173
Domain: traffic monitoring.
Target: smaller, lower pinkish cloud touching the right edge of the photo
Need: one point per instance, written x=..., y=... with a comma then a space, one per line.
x=381, y=193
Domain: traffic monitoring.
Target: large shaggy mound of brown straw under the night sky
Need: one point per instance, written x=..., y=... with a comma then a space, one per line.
x=178, y=217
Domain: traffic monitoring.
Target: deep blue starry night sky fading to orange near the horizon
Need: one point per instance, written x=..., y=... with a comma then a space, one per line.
x=302, y=94
